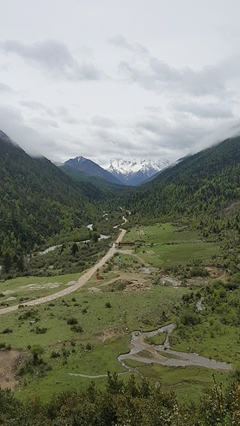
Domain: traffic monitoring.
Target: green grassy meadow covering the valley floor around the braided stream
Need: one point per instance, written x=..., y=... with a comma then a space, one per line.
x=84, y=332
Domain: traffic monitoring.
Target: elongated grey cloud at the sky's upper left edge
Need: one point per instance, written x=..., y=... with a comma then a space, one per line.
x=54, y=57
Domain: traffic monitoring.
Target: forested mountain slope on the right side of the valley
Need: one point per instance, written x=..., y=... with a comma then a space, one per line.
x=204, y=186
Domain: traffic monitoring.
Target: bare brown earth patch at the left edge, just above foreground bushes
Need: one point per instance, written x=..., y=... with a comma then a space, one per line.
x=9, y=361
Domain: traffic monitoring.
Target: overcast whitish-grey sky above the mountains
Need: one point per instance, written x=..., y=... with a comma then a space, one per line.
x=109, y=79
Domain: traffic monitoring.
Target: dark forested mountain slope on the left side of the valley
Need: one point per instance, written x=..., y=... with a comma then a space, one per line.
x=38, y=199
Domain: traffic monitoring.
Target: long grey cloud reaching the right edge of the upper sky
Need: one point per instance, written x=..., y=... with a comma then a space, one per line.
x=153, y=73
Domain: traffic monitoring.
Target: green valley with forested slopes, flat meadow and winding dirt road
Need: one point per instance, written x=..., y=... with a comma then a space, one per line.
x=157, y=301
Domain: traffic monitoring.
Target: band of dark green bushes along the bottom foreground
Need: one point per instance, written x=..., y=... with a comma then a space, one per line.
x=123, y=404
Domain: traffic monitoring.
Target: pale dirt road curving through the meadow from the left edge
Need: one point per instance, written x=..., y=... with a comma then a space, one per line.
x=80, y=283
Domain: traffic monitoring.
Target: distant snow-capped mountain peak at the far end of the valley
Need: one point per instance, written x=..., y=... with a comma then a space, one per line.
x=134, y=172
